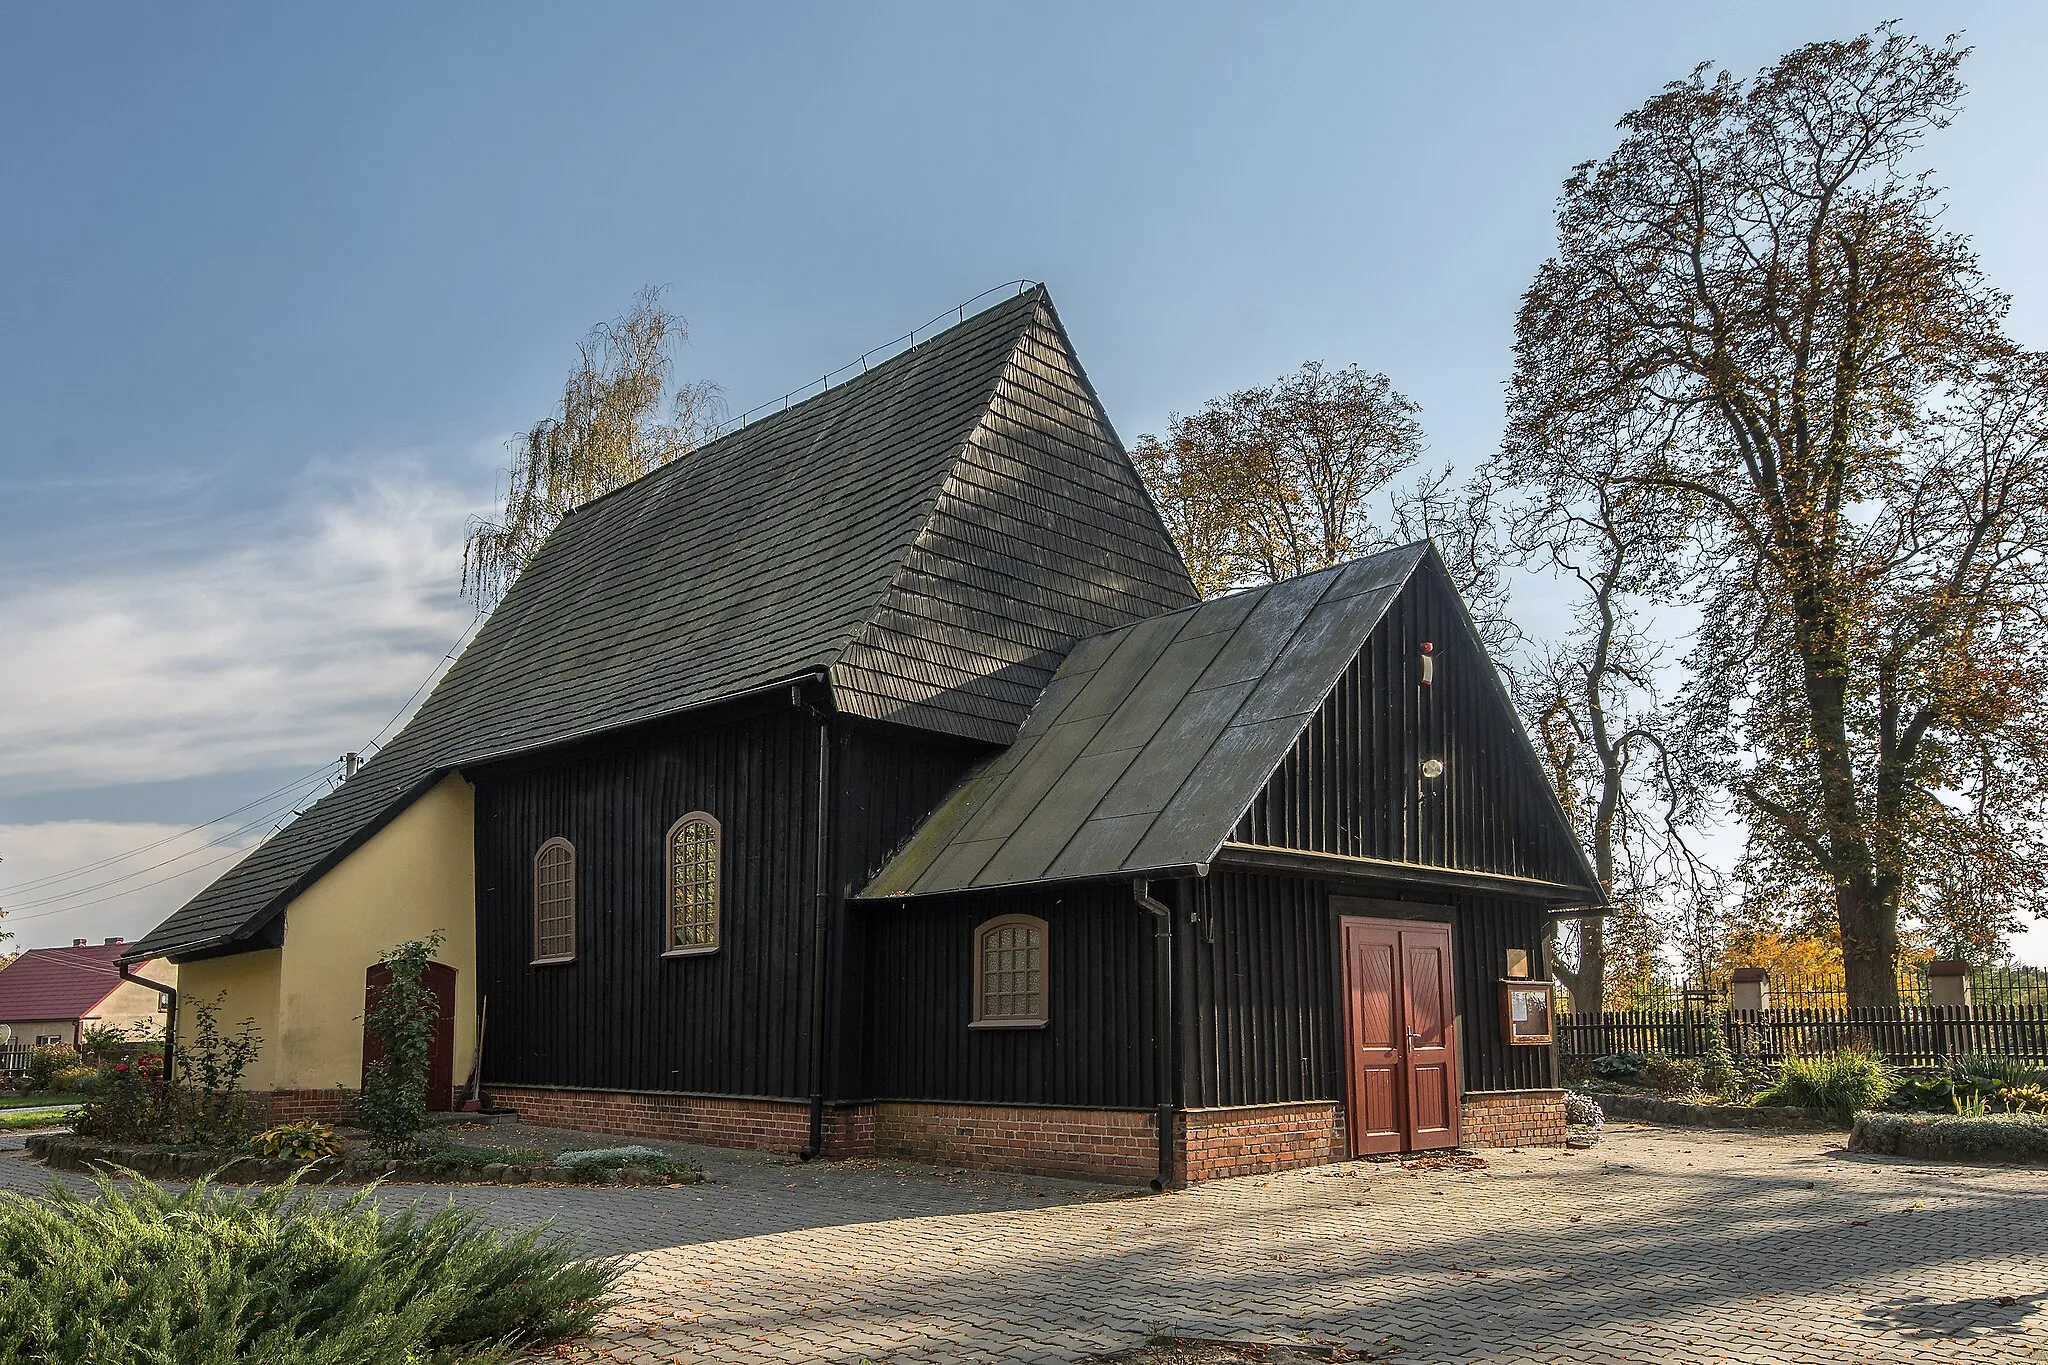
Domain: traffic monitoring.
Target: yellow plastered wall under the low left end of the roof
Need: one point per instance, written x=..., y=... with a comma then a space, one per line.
x=415, y=877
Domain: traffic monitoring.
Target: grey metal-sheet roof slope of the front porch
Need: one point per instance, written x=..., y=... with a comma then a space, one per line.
x=1154, y=740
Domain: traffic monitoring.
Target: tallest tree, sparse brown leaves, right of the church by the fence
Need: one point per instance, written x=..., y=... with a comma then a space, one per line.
x=1756, y=277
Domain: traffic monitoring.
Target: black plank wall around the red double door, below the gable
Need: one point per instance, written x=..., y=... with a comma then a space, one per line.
x=1263, y=1014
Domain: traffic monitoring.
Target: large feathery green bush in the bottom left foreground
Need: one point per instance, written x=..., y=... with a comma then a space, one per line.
x=280, y=1276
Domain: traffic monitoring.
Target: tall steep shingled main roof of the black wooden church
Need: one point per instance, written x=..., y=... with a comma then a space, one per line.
x=933, y=537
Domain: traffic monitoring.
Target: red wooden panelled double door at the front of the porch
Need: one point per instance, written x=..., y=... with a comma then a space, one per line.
x=1402, y=1037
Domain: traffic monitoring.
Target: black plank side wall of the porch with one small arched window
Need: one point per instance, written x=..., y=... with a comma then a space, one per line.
x=1097, y=1049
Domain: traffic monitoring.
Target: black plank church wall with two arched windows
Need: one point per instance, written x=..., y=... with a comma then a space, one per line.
x=622, y=1016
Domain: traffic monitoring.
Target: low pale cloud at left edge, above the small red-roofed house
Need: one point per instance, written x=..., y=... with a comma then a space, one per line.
x=93, y=879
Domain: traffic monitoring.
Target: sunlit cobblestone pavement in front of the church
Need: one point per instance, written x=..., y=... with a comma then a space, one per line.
x=1660, y=1245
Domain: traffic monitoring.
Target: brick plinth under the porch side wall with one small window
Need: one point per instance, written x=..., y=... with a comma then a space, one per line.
x=1093, y=1145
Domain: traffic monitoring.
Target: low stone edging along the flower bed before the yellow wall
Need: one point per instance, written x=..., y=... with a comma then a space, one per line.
x=71, y=1153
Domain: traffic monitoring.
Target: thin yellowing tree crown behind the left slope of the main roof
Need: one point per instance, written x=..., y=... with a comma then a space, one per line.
x=617, y=421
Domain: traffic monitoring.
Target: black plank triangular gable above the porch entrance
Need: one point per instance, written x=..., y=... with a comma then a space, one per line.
x=1353, y=783
